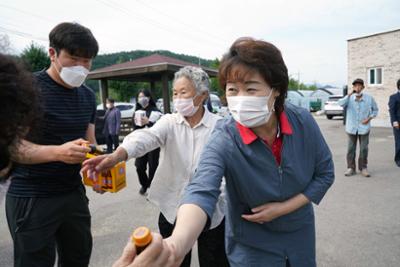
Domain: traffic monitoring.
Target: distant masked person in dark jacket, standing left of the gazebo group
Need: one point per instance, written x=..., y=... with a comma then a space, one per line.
x=112, y=123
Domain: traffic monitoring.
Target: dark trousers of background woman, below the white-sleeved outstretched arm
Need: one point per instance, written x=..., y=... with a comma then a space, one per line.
x=150, y=158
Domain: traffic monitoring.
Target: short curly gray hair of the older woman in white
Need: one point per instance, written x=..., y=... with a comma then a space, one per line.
x=197, y=76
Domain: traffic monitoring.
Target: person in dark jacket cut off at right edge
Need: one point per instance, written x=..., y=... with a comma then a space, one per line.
x=394, y=110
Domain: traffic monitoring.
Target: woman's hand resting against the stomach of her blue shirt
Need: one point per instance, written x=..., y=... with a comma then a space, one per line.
x=265, y=213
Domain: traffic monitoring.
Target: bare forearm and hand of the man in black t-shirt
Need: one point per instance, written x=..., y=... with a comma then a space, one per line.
x=71, y=152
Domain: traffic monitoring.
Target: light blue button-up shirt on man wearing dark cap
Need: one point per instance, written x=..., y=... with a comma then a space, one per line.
x=357, y=111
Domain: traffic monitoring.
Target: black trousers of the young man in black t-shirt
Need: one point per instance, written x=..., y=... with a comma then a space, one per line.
x=40, y=226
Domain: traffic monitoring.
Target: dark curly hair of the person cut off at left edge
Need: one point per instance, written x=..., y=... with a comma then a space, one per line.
x=19, y=111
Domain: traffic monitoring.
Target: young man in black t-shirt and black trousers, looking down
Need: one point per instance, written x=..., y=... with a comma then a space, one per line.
x=46, y=205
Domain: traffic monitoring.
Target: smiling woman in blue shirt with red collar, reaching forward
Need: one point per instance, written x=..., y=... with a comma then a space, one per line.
x=275, y=161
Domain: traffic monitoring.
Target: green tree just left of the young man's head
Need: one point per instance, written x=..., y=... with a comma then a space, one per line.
x=35, y=57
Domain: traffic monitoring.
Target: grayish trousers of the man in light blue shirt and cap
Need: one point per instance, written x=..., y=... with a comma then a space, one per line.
x=351, y=151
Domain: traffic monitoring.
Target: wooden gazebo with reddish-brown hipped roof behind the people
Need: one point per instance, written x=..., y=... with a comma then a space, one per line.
x=150, y=69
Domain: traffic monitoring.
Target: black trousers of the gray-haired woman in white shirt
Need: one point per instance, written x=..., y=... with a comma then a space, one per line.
x=210, y=244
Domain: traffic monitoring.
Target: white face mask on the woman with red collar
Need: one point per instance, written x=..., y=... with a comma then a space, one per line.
x=250, y=111
